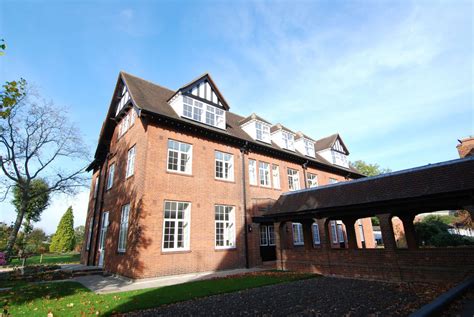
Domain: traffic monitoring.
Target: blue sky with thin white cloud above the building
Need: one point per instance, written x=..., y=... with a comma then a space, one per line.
x=395, y=79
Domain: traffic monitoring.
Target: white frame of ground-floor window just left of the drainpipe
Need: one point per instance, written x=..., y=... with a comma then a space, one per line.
x=228, y=226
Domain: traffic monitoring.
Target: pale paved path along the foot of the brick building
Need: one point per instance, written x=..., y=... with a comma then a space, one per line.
x=113, y=284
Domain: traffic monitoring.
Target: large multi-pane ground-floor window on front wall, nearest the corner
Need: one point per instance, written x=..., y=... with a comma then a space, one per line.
x=176, y=226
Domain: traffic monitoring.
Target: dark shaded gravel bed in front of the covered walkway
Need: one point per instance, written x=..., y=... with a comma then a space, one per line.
x=322, y=296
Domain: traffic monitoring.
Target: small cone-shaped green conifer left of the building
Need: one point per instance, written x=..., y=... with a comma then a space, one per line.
x=64, y=239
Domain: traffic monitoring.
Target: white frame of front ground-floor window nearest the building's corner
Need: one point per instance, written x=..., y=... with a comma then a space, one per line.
x=185, y=220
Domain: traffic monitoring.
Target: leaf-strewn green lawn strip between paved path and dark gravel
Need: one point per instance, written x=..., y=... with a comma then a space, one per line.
x=72, y=299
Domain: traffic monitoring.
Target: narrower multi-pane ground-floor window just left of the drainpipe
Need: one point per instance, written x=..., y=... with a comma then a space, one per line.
x=225, y=226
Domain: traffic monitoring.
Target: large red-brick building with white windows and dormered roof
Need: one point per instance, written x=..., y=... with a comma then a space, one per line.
x=179, y=182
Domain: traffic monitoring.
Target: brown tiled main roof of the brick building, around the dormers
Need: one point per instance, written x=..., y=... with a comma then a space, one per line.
x=151, y=99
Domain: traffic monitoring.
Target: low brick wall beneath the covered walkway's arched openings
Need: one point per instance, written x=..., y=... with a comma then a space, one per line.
x=422, y=265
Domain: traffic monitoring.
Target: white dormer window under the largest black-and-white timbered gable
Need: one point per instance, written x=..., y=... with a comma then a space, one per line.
x=202, y=112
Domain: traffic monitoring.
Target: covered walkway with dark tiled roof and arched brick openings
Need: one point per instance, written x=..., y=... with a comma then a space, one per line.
x=443, y=186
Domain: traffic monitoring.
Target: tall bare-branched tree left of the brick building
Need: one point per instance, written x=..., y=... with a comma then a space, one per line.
x=38, y=141
